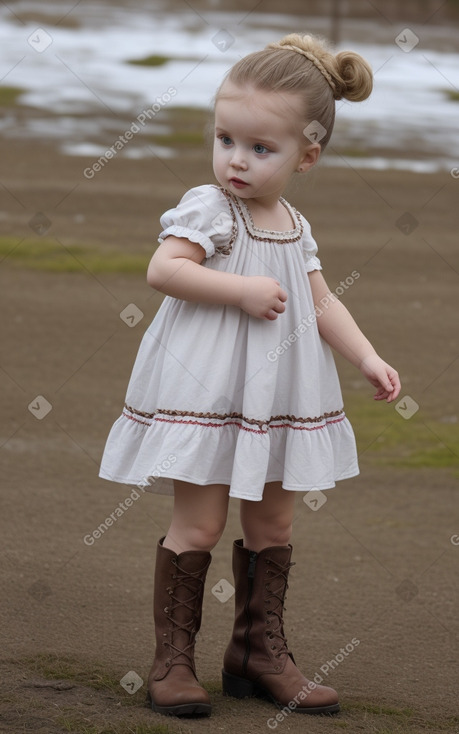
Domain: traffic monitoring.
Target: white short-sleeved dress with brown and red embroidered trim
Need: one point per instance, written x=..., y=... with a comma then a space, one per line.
x=220, y=397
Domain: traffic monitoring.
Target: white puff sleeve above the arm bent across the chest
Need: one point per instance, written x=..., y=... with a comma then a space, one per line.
x=203, y=215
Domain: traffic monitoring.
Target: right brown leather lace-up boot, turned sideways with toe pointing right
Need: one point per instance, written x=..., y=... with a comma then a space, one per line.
x=257, y=661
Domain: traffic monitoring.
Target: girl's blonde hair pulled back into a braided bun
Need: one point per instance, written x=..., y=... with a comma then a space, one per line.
x=304, y=64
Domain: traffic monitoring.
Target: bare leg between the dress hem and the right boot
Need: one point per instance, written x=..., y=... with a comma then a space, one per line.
x=269, y=522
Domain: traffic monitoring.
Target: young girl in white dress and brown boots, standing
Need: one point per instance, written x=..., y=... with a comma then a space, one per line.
x=234, y=392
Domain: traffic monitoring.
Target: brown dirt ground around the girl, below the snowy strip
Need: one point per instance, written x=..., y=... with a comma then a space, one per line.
x=377, y=563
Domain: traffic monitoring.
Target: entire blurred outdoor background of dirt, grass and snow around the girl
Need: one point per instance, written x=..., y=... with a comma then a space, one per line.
x=105, y=109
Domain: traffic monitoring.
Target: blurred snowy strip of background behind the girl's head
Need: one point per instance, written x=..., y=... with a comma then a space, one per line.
x=91, y=67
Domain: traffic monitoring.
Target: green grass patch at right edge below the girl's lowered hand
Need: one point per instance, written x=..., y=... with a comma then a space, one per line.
x=384, y=436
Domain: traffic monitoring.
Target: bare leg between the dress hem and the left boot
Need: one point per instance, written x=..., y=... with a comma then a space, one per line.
x=198, y=517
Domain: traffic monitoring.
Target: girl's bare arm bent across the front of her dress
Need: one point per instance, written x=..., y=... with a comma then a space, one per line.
x=175, y=269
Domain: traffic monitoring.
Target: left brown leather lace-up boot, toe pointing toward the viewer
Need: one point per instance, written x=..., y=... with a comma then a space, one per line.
x=179, y=587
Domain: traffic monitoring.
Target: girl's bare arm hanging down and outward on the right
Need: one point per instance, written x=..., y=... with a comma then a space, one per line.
x=340, y=331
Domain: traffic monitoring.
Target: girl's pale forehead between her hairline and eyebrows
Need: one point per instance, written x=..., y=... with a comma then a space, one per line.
x=251, y=108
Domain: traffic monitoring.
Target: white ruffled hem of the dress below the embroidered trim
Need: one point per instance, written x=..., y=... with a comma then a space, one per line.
x=313, y=458
